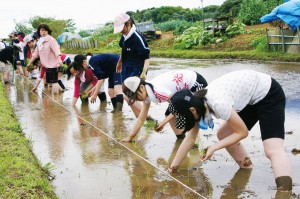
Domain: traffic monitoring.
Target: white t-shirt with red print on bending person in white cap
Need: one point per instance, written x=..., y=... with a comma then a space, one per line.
x=169, y=83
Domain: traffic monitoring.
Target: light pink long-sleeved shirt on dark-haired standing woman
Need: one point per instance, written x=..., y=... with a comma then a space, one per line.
x=48, y=52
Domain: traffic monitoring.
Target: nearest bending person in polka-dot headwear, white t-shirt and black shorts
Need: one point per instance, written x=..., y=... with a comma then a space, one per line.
x=240, y=98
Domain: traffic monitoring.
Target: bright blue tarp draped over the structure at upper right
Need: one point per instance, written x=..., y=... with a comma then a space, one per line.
x=288, y=12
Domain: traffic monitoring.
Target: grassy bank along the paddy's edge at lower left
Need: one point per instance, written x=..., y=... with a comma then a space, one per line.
x=22, y=176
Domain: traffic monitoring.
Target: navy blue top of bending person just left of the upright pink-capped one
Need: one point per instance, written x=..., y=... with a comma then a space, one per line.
x=104, y=65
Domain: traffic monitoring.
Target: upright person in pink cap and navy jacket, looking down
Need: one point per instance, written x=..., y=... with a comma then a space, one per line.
x=135, y=56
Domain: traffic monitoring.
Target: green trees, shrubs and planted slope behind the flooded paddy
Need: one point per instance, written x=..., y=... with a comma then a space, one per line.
x=187, y=30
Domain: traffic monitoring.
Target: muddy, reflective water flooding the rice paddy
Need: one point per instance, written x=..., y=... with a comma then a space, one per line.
x=88, y=161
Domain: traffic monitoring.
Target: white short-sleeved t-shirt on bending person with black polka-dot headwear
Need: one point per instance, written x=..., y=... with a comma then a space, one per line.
x=236, y=90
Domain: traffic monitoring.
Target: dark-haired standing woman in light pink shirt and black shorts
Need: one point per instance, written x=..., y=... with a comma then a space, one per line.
x=49, y=52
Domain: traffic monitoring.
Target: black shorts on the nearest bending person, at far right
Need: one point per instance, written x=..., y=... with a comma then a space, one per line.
x=270, y=112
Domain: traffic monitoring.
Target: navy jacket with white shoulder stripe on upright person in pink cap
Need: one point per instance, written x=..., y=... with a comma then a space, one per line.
x=135, y=50
